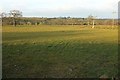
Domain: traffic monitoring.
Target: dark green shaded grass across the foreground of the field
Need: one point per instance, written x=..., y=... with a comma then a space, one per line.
x=60, y=59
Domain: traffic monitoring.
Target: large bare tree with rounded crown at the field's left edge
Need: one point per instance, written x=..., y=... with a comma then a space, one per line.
x=15, y=14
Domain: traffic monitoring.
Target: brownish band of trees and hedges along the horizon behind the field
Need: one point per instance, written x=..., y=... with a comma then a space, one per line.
x=14, y=18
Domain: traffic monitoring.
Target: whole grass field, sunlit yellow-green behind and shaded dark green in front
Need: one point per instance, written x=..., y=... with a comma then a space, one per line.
x=59, y=51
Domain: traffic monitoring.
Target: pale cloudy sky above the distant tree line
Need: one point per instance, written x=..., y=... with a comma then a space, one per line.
x=62, y=8
